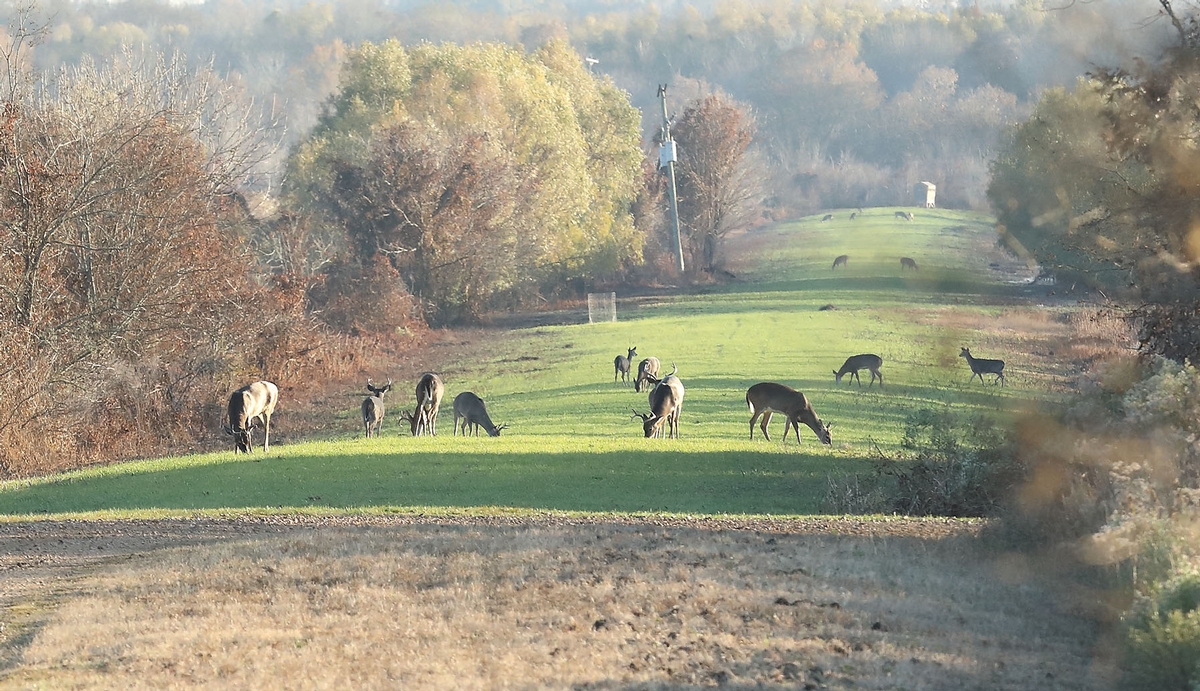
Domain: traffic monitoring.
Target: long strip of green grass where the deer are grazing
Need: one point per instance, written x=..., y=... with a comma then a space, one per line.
x=572, y=446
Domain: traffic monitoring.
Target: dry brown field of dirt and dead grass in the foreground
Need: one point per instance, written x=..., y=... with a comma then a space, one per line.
x=532, y=603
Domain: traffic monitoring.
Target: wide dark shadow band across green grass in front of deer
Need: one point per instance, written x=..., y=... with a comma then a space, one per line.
x=760, y=478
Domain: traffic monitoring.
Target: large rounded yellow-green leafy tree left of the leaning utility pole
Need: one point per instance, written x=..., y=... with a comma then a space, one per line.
x=566, y=143
